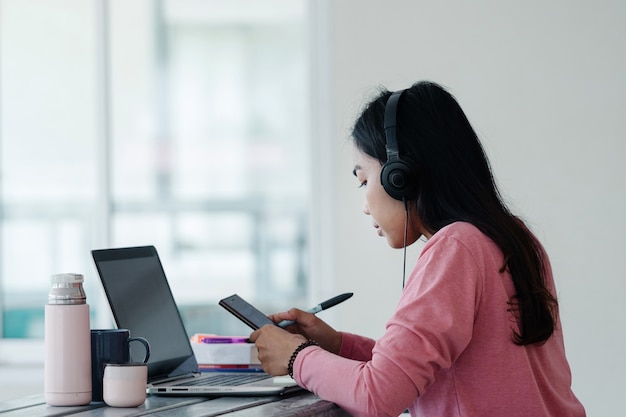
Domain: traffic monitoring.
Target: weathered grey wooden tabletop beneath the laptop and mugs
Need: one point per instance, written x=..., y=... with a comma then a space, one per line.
x=301, y=404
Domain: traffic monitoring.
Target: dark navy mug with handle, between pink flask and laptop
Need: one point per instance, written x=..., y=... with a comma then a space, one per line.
x=110, y=346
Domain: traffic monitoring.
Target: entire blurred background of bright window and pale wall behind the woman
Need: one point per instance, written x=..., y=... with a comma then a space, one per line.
x=218, y=131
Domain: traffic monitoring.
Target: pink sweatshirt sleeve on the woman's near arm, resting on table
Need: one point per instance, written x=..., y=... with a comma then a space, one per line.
x=428, y=331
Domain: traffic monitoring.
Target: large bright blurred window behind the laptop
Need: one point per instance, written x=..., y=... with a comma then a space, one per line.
x=179, y=124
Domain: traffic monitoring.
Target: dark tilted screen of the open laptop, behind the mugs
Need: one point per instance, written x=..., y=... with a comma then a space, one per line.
x=141, y=301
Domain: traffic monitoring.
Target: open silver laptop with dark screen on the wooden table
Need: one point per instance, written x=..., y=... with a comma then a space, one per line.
x=141, y=300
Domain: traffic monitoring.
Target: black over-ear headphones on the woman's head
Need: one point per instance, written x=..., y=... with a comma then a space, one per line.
x=397, y=176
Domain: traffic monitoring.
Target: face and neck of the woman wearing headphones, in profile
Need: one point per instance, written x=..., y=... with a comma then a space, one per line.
x=388, y=214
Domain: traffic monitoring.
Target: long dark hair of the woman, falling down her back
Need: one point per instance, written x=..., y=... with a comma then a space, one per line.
x=455, y=183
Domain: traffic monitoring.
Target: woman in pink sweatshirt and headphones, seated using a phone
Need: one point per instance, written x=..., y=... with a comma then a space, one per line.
x=476, y=331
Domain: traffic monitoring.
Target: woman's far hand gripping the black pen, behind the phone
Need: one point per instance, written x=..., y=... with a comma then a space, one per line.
x=311, y=327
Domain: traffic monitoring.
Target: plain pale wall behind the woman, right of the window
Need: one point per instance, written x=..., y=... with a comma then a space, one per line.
x=544, y=85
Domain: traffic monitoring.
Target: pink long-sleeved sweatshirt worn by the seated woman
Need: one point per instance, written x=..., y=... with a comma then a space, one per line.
x=447, y=350
